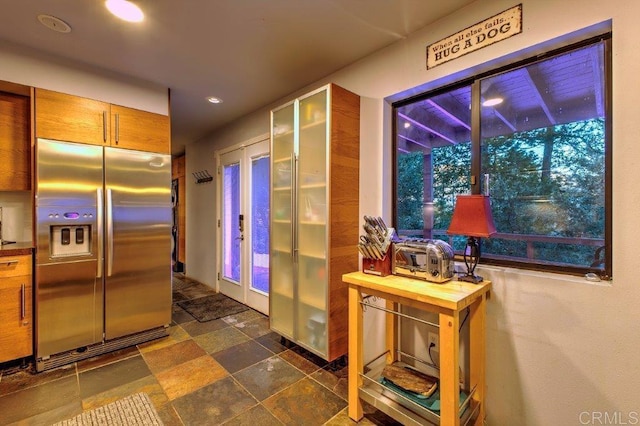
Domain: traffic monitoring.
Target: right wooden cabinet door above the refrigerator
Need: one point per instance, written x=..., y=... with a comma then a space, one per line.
x=140, y=130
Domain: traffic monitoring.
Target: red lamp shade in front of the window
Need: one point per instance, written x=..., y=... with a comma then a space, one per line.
x=472, y=217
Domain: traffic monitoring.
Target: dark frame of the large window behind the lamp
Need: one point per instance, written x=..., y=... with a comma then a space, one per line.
x=475, y=172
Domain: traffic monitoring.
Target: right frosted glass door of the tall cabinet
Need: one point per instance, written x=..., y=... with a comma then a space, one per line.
x=312, y=219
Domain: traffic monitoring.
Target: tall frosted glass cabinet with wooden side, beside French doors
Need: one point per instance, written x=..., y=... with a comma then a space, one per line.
x=314, y=217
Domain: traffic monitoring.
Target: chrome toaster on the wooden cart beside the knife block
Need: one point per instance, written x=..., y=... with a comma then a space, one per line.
x=430, y=260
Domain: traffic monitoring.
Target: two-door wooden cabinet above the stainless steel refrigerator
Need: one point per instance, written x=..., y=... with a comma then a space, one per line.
x=71, y=118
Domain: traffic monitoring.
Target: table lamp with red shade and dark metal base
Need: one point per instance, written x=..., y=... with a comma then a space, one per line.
x=472, y=217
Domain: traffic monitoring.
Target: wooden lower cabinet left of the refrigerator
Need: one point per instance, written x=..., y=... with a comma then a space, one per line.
x=16, y=311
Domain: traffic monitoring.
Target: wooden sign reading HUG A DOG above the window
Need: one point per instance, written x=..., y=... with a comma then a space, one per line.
x=482, y=34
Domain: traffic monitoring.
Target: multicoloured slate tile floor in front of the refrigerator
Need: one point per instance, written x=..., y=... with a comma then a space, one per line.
x=231, y=371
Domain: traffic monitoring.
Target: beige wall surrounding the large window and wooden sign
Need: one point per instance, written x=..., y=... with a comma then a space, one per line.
x=557, y=346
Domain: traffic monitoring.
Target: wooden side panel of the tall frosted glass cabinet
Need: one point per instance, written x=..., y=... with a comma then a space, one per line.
x=344, y=210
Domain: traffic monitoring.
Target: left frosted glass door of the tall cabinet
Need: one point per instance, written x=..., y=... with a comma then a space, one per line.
x=281, y=287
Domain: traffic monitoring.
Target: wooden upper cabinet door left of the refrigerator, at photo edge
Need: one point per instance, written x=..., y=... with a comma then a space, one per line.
x=15, y=145
